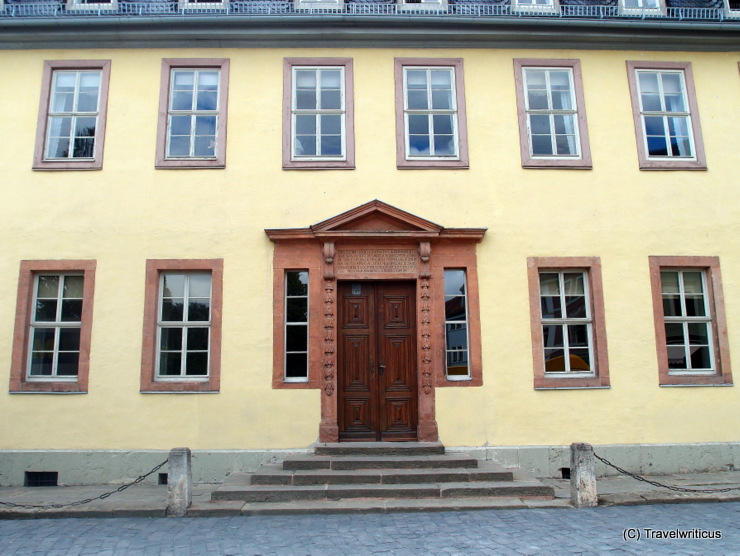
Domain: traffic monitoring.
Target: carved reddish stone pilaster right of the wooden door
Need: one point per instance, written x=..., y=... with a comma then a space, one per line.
x=427, y=427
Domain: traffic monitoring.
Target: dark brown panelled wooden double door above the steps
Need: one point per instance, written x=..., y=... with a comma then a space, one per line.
x=377, y=361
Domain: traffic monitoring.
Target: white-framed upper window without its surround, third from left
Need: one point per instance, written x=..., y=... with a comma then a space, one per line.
x=318, y=113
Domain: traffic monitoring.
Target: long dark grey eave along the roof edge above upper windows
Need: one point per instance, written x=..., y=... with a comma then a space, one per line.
x=367, y=32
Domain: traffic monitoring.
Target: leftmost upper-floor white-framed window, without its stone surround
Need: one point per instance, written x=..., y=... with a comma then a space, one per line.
x=74, y=108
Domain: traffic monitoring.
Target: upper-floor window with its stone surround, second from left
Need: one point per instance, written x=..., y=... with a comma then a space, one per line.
x=192, y=126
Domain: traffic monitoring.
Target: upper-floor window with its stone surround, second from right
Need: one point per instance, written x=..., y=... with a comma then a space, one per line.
x=552, y=114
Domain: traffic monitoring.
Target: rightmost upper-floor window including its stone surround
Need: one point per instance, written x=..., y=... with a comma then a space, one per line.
x=666, y=116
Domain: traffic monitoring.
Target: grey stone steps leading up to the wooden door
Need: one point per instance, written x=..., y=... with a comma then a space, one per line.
x=373, y=475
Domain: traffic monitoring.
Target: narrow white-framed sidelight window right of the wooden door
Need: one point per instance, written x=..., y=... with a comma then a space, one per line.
x=456, y=325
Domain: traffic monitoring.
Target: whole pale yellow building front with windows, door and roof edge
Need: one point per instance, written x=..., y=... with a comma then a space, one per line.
x=245, y=227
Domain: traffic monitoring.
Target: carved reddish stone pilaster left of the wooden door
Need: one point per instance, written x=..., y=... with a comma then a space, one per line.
x=329, y=427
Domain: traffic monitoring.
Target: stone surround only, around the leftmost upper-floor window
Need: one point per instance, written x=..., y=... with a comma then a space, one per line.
x=39, y=163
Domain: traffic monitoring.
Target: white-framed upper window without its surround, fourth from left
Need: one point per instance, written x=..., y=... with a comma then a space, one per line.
x=430, y=113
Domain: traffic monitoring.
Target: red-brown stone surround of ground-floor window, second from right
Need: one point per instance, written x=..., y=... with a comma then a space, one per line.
x=592, y=266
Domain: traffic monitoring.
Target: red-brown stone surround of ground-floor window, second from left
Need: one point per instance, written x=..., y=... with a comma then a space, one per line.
x=154, y=268
